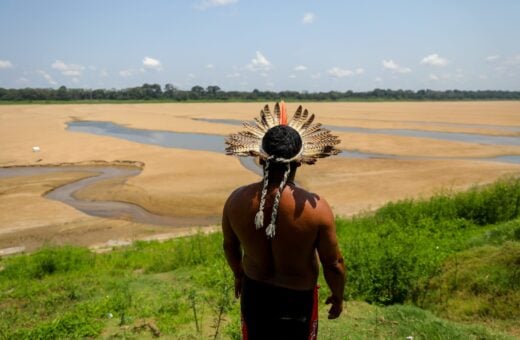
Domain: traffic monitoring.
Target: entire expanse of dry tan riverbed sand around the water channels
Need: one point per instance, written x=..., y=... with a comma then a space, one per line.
x=196, y=183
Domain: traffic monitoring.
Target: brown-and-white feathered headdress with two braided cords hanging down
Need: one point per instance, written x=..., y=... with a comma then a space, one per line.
x=317, y=142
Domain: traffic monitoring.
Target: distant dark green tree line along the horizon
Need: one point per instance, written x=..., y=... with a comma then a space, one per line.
x=155, y=92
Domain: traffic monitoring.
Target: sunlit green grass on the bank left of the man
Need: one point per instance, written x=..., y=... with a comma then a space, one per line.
x=71, y=292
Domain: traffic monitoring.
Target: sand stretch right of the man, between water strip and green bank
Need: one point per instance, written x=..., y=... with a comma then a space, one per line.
x=356, y=185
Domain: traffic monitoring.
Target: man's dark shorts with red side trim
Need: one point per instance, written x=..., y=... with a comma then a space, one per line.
x=271, y=312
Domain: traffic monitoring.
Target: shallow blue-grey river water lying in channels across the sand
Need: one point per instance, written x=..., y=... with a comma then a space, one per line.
x=202, y=142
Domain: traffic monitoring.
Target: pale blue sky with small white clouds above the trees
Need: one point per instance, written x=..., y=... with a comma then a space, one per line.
x=269, y=45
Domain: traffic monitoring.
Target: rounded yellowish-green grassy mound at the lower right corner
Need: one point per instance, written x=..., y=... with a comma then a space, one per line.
x=482, y=282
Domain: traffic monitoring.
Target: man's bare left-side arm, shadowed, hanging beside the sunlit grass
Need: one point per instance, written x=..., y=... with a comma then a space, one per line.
x=232, y=251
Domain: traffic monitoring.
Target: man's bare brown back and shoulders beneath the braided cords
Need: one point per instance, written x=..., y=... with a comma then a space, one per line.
x=289, y=259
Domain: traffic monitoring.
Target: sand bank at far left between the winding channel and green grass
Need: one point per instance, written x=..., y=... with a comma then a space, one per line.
x=29, y=220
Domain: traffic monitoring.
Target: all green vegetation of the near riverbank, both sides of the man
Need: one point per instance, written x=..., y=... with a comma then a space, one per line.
x=444, y=267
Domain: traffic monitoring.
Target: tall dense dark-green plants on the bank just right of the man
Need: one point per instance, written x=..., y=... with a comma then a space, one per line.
x=392, y=253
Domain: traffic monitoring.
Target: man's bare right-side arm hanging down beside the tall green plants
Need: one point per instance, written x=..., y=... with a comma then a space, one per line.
x=332, y=262
